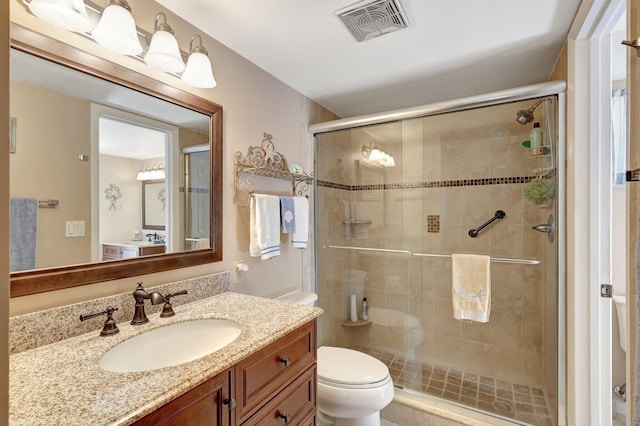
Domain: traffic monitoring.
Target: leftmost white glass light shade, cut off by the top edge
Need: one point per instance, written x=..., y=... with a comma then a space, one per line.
x=68, y=14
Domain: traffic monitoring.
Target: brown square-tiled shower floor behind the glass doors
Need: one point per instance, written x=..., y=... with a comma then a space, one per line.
x=494, y=396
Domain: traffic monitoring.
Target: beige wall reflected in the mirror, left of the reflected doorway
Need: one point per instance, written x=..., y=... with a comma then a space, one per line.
x=47, y=145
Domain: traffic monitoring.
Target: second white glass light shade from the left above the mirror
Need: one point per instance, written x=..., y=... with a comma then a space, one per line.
x=117, y=31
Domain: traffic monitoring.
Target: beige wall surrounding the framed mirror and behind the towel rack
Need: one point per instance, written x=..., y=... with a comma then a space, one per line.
x=253, y=102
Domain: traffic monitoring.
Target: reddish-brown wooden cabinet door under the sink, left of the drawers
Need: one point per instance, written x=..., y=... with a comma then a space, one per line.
x=207, y=404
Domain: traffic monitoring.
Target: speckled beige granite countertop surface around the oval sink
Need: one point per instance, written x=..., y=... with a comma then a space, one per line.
x=62, y=383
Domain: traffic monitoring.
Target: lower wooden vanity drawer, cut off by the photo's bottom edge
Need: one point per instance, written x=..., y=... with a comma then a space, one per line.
x=296, y=405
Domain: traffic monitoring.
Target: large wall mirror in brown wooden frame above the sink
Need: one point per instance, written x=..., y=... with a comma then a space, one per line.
x=106, y=193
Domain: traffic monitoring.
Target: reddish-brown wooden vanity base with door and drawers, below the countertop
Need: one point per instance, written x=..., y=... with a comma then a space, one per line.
x=274, y=386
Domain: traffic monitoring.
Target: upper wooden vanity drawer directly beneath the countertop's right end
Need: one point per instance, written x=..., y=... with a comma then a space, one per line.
x=263, y=374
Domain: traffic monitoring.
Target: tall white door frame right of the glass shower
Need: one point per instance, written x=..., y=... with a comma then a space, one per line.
x=589, y=331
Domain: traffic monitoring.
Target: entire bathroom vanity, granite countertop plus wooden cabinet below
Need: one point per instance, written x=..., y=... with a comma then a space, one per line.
x=265, y=376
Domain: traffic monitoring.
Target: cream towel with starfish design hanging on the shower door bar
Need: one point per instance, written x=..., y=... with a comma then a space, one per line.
x=471, y=287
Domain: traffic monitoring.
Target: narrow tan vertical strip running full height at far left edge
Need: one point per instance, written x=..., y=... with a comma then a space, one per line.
x=4, y=213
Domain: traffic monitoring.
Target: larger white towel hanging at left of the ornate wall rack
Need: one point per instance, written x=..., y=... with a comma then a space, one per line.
x=264, y=226
